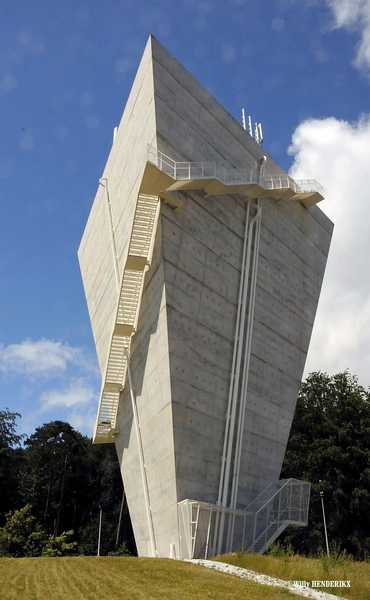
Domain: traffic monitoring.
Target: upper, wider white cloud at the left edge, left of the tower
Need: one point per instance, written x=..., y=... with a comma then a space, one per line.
x=43, y=357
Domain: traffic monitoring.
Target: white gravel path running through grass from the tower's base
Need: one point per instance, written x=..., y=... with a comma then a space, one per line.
x=308, y=592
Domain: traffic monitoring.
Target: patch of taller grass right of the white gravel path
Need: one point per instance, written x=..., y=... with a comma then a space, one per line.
x=297, y=568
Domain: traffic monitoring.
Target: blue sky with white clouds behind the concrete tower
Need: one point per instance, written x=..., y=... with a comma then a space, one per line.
x=301, y=67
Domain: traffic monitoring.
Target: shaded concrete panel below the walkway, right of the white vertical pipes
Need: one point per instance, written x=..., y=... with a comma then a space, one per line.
x=292, y=258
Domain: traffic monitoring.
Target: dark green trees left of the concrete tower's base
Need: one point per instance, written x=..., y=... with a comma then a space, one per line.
x=64, y=478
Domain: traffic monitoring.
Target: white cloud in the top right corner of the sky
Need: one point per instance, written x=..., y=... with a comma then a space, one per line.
x=354, y=15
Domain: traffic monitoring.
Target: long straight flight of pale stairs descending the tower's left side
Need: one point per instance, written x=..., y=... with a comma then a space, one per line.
x=128, y=306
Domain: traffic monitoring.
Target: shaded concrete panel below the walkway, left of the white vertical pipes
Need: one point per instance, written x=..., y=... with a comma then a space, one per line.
x=202, y=252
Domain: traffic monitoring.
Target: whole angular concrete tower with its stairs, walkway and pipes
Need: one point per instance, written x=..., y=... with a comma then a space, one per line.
x=202, y=263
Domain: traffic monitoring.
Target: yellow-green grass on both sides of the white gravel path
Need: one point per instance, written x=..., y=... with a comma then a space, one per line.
x=85, y=578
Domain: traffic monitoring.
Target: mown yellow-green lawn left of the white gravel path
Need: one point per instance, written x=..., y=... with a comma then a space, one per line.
x=103, y=578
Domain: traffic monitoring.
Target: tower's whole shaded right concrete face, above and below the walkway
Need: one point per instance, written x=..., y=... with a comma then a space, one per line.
x=202, y=251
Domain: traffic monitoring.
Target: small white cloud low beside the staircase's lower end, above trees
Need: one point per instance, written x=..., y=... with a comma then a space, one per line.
x=78, y=393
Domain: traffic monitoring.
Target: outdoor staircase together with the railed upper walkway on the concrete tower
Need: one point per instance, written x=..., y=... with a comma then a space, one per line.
x=172, y=176
